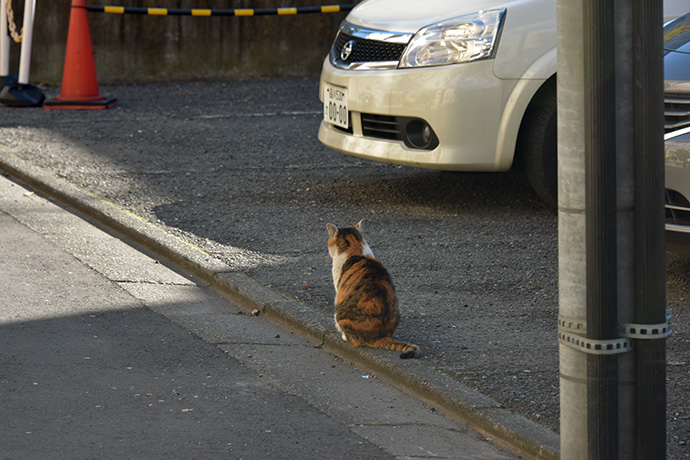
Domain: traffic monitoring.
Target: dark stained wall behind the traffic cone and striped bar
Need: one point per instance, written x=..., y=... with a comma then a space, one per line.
x=141, y=48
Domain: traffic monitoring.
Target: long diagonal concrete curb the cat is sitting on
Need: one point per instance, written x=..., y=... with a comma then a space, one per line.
x=483, y=413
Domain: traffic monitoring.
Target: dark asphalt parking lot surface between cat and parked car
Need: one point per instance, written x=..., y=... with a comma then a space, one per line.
x=236, y=169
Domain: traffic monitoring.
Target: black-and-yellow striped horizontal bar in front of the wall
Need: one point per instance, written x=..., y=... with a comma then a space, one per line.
x=206, y=12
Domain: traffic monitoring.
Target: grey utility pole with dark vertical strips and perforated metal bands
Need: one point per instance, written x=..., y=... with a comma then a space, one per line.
x=612, y=314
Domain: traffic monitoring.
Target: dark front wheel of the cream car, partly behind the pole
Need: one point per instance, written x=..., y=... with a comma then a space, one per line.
x=538, y=146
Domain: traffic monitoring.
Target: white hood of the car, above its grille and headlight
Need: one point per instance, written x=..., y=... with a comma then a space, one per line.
x=410, y=16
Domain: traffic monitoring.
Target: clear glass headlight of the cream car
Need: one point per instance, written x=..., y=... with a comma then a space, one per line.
x=462, y=39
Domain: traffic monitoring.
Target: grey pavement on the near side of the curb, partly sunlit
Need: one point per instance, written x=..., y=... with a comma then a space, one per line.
x=107, y=353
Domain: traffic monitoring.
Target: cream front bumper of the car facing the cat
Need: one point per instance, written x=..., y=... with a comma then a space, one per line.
x=463, y=104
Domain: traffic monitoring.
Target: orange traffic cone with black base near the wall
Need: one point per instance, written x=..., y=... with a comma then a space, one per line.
x=79, y=85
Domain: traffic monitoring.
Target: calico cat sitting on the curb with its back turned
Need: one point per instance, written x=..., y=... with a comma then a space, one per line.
x=366, y=307
